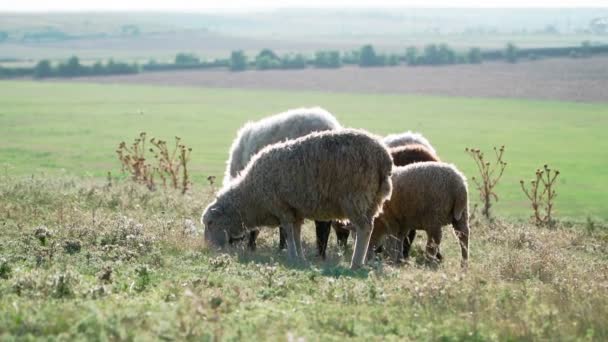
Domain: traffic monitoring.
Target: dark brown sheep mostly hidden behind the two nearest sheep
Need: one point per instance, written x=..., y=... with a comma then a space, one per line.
x=402, y=156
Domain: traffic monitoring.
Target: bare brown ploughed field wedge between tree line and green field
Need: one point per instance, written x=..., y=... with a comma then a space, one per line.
x=583, y=80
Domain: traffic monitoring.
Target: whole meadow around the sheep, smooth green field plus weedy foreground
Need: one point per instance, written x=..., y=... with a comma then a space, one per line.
x=84, y=258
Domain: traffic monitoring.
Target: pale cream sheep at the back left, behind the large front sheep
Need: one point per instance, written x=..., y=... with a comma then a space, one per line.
x=254, y=136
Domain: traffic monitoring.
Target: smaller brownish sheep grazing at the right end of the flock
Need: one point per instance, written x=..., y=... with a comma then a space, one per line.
x=426, y=196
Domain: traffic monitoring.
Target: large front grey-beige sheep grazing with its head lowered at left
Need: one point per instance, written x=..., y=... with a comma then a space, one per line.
x=343, y=174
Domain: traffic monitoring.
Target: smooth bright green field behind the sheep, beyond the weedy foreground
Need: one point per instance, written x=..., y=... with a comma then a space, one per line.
x=48, y=127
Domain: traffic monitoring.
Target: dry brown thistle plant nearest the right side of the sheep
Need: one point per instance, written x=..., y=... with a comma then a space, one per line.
x=490, y=174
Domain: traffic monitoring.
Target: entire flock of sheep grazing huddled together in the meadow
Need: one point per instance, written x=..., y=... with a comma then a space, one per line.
x=302, y=164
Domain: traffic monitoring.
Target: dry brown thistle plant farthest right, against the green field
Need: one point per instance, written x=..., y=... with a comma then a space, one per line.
x=541, y=194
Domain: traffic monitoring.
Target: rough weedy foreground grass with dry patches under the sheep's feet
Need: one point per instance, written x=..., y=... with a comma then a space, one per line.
x=140, y=272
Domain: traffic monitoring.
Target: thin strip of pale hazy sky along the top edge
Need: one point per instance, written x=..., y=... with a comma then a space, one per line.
x=201, y=5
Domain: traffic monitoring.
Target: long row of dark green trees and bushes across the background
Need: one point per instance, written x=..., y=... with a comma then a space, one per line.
x=267, y=59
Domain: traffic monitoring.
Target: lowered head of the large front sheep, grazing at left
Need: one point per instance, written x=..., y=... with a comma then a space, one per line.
x=222, y=224
